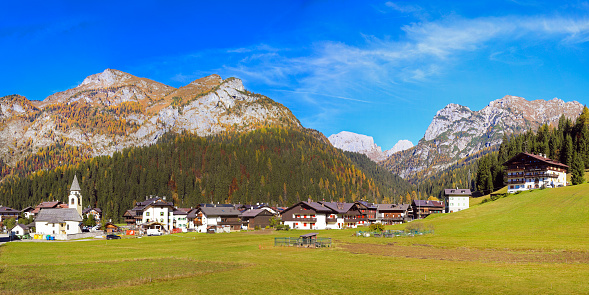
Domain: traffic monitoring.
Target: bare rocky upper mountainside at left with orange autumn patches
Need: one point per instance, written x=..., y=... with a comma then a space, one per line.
x=113, y=110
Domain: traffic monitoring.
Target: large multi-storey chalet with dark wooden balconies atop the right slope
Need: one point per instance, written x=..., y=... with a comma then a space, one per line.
x=528, y=171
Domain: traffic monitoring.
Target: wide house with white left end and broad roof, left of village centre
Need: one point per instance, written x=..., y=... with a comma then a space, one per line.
x=217, y=219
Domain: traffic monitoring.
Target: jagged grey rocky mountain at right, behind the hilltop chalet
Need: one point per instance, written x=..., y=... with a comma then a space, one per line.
x=456, y=132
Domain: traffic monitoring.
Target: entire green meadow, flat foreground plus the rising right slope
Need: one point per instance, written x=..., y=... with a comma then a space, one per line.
x=536, y=242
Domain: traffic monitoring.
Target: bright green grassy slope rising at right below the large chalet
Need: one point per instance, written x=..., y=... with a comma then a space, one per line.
x=542, y=219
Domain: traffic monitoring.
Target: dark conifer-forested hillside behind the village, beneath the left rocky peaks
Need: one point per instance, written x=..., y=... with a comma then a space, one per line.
x=279, y=166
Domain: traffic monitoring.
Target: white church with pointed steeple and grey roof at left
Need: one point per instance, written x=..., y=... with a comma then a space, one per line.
x=63, y=221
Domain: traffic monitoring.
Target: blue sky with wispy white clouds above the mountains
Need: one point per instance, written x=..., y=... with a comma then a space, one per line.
x=380, y=68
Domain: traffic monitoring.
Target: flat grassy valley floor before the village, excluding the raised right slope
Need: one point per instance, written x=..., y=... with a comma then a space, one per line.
x=248, y=263
